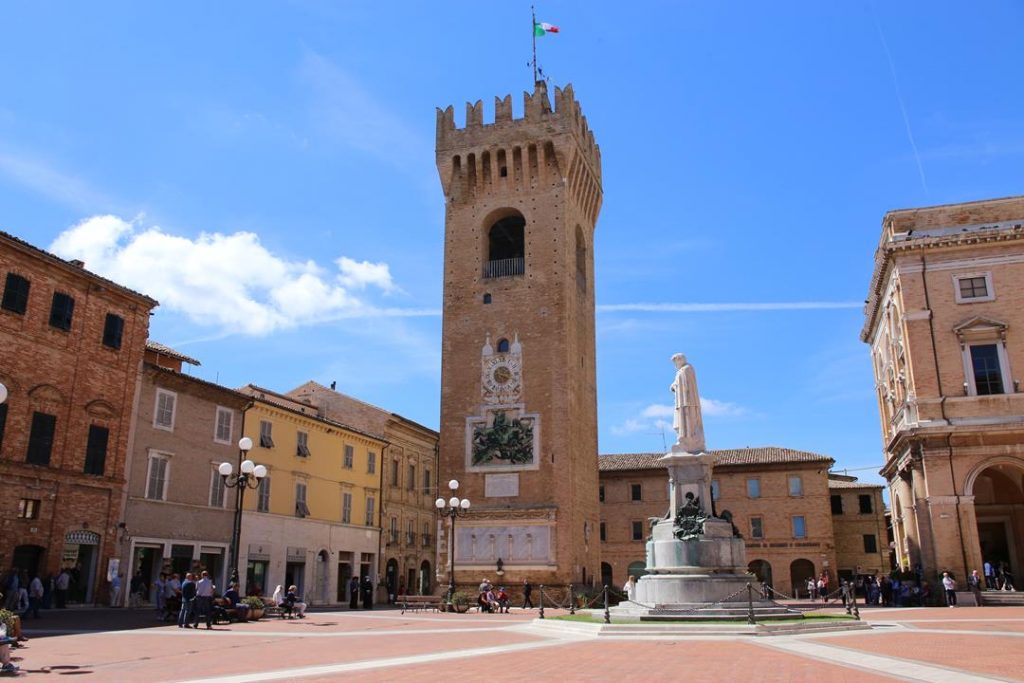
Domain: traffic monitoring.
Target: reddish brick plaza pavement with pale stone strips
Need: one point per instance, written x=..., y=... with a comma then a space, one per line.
x=917, y=645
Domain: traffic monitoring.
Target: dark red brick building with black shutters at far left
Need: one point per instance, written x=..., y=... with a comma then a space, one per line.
x=73, y=347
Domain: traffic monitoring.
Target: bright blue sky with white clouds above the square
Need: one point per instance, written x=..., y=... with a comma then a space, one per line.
x=266, y=169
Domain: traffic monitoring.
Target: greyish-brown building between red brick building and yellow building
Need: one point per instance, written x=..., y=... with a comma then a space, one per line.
x=180, y=516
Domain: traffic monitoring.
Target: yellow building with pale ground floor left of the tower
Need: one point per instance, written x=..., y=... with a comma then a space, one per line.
x=315, y=521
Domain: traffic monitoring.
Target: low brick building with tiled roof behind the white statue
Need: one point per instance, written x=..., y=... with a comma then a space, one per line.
x=779, y=500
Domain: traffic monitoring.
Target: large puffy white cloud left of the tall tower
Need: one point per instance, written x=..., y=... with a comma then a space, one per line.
x=231, y=282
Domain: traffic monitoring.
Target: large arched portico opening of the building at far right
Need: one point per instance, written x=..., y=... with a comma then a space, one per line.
x=999, y=506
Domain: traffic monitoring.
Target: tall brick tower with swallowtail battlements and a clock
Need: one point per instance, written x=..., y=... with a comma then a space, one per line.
x=519, y=390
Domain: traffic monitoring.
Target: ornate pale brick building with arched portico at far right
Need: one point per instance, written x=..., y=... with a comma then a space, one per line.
x=945, y=320
